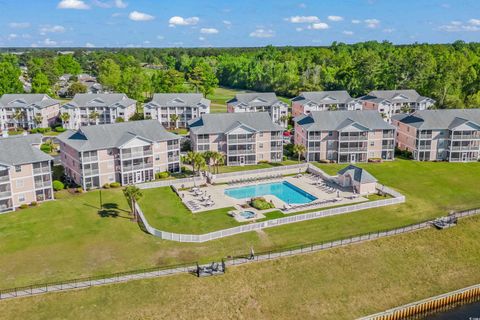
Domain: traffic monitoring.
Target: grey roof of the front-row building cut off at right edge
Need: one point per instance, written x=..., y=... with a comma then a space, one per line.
x=440, y=119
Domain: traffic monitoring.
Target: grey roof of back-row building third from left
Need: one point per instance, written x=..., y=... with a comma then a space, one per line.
x=178, y=100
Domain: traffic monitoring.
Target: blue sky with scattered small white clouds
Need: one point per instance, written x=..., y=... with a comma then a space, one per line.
x=190, y=23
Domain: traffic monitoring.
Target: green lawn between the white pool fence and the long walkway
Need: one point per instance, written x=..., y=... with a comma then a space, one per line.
x=68, y=238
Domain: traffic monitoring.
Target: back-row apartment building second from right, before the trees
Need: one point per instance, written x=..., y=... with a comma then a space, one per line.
x=307, y=102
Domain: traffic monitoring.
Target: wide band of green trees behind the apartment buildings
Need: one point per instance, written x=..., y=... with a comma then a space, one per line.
x=449, y=73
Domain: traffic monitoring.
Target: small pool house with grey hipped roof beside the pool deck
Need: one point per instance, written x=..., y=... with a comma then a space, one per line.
x=360, y=179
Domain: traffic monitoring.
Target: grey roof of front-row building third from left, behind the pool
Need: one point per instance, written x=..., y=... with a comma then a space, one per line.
x=224, y=122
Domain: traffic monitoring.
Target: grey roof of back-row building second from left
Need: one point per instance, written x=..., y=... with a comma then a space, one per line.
x=111, y=100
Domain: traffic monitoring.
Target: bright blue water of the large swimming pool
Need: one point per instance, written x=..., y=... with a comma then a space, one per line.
x=285, y=191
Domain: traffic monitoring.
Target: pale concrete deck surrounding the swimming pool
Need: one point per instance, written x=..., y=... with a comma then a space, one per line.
x=305, y=182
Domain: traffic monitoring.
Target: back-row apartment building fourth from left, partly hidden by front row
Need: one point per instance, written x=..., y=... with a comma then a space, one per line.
x=260, y=102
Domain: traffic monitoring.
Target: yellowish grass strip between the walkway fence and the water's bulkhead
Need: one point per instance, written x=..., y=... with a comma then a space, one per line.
x=342, y=283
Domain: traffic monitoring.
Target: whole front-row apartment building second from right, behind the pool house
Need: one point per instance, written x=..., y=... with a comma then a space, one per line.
x=345, y=136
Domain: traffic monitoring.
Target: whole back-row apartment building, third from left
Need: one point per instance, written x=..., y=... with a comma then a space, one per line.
x=183, y=106
